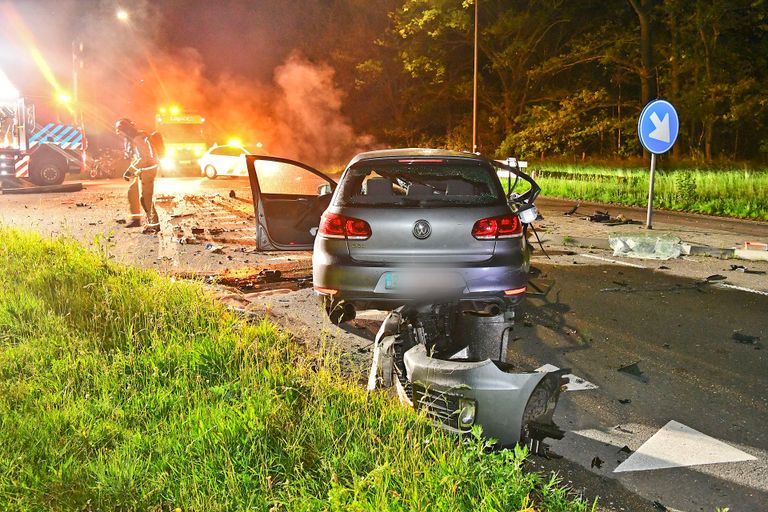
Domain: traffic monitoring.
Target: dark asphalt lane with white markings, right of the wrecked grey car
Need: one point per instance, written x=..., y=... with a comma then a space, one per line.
x=597, y=319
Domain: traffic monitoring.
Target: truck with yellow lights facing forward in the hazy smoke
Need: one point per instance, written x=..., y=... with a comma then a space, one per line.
x=184, y=138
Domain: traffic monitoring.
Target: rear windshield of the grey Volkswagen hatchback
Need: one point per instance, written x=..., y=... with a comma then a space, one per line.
x=420, y=183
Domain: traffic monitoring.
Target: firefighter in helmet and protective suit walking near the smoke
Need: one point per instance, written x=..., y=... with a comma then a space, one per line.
x=142, y=171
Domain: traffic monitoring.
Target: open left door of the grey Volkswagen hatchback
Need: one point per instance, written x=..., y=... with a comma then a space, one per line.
x=288, y=198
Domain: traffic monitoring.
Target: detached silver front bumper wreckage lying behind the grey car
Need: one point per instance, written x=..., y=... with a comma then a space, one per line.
x=450, y=363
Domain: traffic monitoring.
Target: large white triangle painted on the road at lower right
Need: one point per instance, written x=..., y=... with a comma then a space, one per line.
x=675, y=446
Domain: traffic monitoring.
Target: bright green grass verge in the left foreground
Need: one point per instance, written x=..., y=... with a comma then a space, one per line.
x=123, y=390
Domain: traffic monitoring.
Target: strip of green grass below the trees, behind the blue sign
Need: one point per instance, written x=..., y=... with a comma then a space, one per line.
x=727, y=192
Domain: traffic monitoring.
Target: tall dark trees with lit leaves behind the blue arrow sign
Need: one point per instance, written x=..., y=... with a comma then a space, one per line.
x=555, y=77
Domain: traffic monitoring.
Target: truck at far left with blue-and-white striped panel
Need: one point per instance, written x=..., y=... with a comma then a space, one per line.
x=40, y=153
